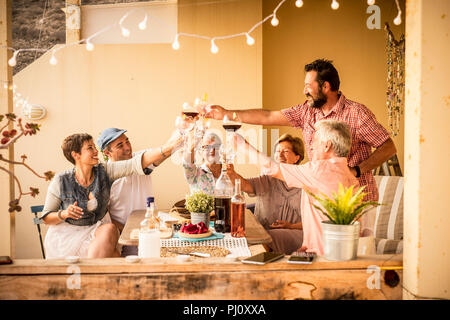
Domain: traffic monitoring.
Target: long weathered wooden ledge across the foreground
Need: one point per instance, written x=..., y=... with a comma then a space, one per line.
x=212, y=278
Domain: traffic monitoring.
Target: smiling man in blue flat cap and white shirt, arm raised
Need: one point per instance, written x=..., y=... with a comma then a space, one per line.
x=130, y=193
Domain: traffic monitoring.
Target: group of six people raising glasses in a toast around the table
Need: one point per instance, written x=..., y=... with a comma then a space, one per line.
x=87, y=206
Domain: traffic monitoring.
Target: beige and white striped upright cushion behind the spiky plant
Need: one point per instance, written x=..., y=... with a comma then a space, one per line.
x=389, y=216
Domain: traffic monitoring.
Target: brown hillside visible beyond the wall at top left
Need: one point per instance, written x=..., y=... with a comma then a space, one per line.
x=41, y=24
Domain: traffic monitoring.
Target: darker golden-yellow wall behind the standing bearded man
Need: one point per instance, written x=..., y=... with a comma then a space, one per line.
x=316, y=31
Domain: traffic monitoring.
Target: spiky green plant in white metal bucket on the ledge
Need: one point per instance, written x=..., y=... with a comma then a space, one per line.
x=340, y=233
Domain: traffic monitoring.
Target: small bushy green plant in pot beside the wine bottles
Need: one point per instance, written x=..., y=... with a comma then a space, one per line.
x=200, y=205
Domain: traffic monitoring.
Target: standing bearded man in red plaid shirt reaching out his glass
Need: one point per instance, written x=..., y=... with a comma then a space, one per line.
x=325, y=101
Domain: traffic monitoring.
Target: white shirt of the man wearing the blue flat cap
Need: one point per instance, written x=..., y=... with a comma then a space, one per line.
x=129, y=194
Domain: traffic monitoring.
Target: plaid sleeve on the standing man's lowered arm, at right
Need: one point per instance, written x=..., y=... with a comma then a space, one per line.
x=370, y=130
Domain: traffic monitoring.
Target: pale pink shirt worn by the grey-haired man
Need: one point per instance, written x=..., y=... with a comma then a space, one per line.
x=317, y=176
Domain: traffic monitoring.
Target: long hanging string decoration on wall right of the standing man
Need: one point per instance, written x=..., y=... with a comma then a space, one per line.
x=395, y=94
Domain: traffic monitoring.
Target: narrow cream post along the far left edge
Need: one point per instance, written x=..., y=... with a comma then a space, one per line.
x=7, y=220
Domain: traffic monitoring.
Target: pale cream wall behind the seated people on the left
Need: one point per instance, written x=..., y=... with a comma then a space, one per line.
x=141, y=88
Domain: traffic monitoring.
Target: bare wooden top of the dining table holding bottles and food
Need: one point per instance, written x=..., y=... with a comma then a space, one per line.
x=255, y=233
